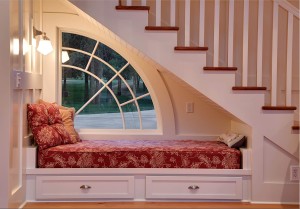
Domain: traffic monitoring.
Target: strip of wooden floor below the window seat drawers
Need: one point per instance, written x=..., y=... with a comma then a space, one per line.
x=161, y=205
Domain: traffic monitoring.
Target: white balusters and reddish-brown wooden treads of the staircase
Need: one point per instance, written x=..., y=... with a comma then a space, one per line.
x=188, y=43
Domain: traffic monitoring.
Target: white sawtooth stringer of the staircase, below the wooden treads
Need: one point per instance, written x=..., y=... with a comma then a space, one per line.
x=159, y=46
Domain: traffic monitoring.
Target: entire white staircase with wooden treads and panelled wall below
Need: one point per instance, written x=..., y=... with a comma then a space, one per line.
x=248, y=72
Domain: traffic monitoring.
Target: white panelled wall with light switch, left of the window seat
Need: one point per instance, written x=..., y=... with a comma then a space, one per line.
x=16, y=63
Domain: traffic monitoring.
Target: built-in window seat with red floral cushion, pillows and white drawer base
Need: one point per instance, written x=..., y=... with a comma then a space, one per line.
x=133, y=170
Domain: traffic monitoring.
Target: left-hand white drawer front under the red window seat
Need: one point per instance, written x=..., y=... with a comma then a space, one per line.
x=76, y=187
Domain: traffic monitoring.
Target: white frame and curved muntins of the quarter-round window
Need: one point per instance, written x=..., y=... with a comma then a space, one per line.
x=134, y=99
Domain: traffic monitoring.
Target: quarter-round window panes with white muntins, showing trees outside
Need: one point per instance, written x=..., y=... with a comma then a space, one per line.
x=104, y=88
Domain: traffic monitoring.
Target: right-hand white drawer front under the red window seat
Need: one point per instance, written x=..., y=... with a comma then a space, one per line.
x=182, y=187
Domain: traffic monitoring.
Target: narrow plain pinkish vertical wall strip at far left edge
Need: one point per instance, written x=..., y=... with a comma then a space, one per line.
x=5, y=100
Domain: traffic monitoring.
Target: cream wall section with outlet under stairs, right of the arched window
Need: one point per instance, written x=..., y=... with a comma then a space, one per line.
x=207, y=118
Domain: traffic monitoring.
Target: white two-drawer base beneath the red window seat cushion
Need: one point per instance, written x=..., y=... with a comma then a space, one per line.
x=128, y=184
